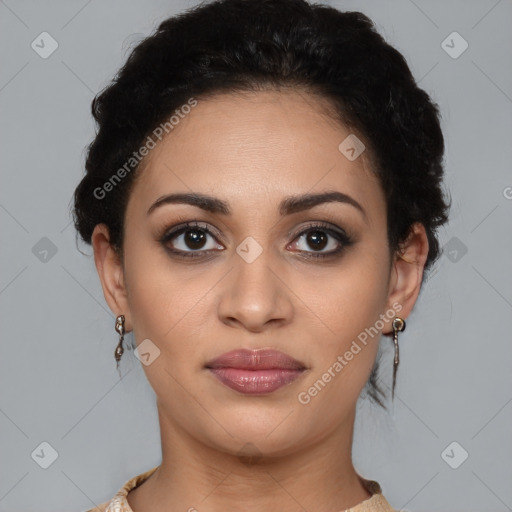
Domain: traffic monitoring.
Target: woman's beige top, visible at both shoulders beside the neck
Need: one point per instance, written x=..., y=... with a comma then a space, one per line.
x=119, y=503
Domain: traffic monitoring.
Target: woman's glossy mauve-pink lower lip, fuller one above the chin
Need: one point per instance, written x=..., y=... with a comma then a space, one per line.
x=255, y=381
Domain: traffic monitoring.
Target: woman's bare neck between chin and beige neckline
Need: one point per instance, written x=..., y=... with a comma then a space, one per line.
x=192, y=475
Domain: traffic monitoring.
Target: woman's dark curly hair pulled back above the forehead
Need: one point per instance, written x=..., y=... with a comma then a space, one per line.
x=237, y=45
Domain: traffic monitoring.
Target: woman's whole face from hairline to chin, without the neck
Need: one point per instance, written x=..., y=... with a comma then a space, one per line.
x=270, y=274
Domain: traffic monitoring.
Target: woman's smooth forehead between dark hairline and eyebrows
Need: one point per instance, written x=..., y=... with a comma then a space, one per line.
x=252, y=148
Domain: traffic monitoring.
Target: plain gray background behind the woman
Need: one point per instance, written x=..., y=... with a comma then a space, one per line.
x=57, y=372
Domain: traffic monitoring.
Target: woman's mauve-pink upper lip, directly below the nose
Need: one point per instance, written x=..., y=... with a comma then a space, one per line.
x=261, y=359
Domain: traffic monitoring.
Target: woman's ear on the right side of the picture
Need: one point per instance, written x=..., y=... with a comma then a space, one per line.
x=406, y=273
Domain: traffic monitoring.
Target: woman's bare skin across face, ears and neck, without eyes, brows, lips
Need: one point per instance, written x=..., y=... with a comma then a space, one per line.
x=251, y=150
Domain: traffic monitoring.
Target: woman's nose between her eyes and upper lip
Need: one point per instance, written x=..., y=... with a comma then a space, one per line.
x=256, y=295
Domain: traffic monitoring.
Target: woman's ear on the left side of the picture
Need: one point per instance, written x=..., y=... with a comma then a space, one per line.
x=111, y=273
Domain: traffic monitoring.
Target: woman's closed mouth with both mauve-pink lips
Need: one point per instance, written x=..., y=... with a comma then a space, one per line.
x=255, y=371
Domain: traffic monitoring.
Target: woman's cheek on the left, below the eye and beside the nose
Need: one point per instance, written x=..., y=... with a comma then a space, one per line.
x=166, y=309
